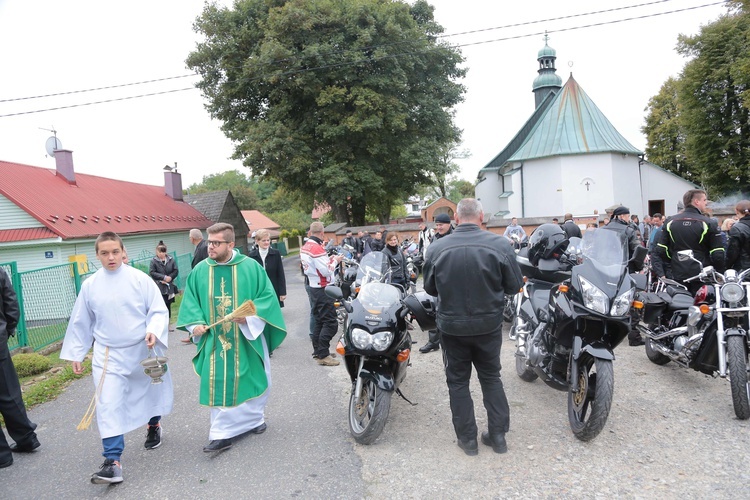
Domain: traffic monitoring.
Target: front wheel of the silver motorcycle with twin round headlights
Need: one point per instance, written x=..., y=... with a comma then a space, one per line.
x=368, y=413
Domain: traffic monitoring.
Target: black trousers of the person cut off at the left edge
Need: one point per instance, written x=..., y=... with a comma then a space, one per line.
x=19, y=427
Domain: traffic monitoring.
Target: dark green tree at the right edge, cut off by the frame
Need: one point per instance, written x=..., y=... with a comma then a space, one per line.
x=714, y=99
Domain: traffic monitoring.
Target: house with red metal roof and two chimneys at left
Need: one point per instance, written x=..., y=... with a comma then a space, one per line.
x=48, y=216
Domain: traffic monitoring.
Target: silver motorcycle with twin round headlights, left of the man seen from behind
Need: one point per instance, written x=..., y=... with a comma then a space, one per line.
x=376, y=344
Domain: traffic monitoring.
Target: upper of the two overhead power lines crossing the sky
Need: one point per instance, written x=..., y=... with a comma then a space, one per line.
x=372, y=47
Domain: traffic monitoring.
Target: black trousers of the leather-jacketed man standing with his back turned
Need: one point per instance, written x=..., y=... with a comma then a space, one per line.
x=482, y=351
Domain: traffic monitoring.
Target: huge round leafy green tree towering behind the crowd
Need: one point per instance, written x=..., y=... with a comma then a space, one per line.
x=343, y=101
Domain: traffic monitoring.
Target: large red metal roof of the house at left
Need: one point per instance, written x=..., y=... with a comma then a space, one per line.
x=94, y=204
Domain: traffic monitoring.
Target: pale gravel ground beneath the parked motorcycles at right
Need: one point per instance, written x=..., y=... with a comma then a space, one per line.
x=671, y=433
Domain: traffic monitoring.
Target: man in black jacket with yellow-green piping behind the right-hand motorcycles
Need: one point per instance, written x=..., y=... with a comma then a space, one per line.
x=690, y=230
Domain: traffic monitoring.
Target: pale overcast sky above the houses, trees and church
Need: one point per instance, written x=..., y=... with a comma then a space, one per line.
x=55, y=46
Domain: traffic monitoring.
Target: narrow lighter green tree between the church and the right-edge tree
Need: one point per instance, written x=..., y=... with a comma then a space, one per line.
x=665, y=136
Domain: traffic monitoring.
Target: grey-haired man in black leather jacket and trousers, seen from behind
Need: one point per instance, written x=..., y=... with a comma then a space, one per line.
x=469, y=273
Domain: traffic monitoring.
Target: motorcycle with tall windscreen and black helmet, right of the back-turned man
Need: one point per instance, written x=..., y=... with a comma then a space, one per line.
x=573, y=311
